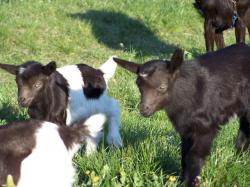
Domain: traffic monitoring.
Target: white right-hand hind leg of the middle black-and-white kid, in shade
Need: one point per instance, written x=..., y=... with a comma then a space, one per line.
x=114, y=137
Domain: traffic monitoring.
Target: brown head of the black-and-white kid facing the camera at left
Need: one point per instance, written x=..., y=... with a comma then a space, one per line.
x=31, y=79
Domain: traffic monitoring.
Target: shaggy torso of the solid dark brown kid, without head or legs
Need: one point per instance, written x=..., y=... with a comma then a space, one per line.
x=212, y=88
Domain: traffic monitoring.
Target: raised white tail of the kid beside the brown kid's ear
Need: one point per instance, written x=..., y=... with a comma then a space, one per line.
x=108, y=68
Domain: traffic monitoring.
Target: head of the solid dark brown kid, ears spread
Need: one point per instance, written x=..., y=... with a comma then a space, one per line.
x=154, y=80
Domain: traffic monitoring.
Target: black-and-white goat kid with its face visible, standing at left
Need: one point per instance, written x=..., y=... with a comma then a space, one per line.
x=68, y=94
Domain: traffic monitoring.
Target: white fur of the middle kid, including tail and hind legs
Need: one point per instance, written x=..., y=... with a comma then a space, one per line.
x=80, y=107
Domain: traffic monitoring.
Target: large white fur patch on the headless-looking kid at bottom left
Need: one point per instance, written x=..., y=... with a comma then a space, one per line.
x=50, y=163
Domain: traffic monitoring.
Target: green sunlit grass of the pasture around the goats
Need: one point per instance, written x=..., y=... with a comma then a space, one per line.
x=75, y=31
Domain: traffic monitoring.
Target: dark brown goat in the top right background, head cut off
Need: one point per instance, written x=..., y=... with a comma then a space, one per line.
x=223, y=14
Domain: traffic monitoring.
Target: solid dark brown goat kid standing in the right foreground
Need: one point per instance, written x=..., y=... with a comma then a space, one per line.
x=198, y=97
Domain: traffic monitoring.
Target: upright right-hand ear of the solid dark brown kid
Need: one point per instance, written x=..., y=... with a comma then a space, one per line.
x=176, y=60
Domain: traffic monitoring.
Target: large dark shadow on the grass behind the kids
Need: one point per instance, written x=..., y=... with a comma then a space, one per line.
x=118, y=31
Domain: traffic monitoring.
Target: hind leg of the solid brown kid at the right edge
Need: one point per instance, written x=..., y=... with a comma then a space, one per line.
x=243, y=135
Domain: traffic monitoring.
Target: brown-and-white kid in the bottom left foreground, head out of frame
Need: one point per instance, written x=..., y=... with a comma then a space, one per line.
x=39, y=153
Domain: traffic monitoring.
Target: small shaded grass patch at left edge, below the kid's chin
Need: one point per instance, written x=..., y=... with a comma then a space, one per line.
x=8, y=113
